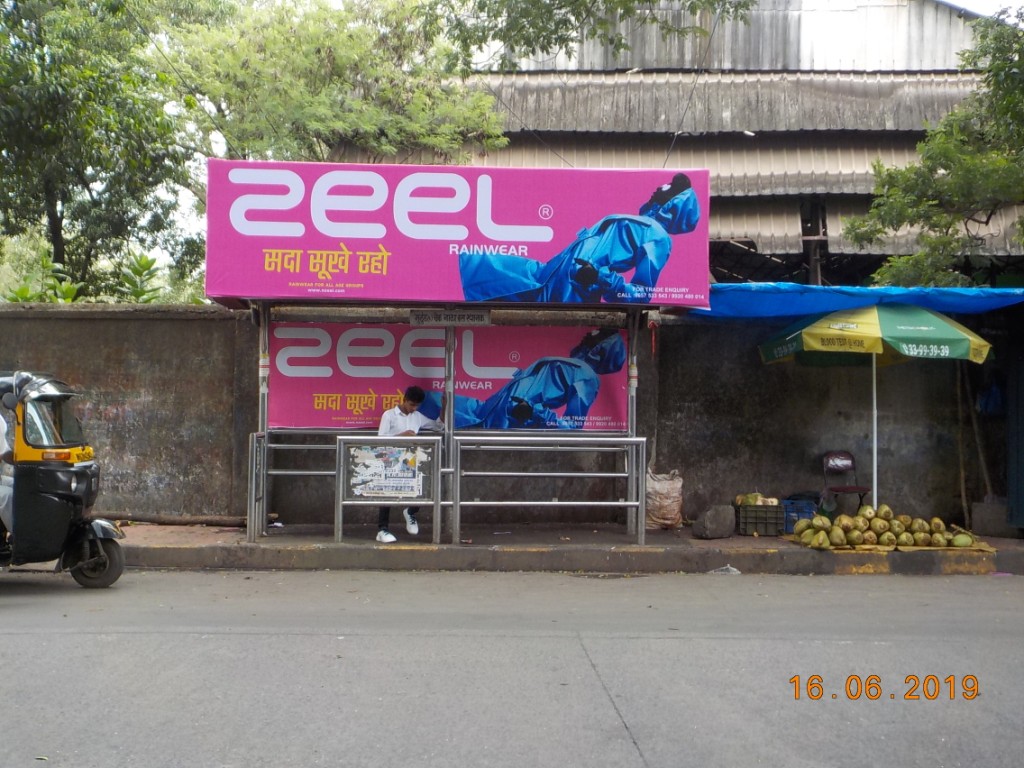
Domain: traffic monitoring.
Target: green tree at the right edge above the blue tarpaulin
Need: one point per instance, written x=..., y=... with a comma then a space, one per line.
x=971, y=167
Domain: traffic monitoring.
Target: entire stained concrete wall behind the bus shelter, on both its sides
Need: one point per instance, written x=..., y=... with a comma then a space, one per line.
x=170, y=399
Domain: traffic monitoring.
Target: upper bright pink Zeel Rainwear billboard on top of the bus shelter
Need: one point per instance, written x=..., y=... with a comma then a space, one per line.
x=342, y=233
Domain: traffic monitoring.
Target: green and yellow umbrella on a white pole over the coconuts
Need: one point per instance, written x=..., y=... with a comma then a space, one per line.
x=882, y=333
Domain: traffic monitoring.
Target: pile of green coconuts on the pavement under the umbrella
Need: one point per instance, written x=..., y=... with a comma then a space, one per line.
x=879, y=528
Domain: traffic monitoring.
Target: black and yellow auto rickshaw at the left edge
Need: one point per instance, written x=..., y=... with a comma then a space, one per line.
x=51, y=484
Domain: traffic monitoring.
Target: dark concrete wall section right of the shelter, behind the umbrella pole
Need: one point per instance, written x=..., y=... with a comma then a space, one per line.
x=734, y=425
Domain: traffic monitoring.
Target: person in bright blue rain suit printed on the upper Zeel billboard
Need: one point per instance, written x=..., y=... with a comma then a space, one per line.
x=591, y=270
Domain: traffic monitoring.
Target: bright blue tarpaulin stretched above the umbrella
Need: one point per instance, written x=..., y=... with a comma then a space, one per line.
x=738, y=301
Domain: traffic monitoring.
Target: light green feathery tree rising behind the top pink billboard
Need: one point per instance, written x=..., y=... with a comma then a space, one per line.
x=307, y=80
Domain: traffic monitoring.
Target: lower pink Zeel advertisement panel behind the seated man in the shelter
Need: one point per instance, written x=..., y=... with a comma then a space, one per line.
x=333, y=375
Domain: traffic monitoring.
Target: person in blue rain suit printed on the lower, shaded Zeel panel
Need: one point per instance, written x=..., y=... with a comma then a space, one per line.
x=530, y=399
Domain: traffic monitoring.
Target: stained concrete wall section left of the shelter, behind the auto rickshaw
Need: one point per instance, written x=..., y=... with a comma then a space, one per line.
x=169, y=398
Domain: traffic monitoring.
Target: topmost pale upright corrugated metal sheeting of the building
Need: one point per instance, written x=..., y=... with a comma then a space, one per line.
x=790, y=35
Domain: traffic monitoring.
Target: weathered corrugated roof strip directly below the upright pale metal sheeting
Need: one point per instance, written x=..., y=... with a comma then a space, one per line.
x=717, y=103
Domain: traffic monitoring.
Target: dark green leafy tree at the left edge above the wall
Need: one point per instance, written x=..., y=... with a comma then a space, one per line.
x=86, y=143
